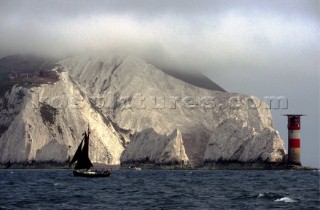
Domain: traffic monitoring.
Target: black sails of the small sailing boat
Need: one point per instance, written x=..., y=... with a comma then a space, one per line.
x=82, y=154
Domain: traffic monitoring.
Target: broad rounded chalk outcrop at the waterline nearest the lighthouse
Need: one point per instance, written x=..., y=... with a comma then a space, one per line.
x=234, y=141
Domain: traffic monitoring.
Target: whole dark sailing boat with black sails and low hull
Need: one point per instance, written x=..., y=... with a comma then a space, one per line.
x=84, y=166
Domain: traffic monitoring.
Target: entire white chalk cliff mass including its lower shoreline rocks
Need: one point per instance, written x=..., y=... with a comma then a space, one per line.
x=137, y=113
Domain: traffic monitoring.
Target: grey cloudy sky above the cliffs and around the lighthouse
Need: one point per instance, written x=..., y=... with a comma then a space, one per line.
x=263, y=48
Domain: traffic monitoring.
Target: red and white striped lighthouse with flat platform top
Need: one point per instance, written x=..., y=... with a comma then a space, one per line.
x=294, y=139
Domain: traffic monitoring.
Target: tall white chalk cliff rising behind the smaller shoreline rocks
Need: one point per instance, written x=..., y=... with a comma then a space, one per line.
x=139, y=96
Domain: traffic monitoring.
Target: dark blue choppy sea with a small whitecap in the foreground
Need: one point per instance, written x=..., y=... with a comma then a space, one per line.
x=160, y=189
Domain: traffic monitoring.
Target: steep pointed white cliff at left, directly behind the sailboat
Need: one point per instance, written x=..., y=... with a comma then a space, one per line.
x=50, y=124
